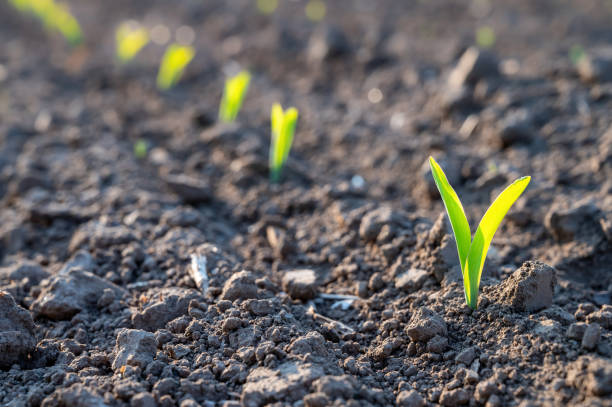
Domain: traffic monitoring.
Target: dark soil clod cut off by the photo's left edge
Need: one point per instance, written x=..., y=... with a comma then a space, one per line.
x=17, y=332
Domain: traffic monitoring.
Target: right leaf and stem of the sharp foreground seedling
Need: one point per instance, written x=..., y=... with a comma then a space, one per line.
x=484, y=234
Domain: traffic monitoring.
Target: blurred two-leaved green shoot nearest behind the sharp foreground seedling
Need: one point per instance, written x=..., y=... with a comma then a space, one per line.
x=283, y=127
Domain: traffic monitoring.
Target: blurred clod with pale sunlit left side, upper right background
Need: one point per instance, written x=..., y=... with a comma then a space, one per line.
x=474, y=64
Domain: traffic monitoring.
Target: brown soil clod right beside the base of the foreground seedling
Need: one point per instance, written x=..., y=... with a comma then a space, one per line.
x=531, y=287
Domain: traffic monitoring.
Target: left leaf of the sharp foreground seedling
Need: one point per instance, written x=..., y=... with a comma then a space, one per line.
x=454, y=210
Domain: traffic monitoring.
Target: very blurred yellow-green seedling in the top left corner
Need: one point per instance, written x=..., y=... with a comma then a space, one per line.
x=54, y=16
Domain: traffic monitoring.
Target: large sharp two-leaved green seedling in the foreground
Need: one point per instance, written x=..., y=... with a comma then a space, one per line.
x=472, y=252
